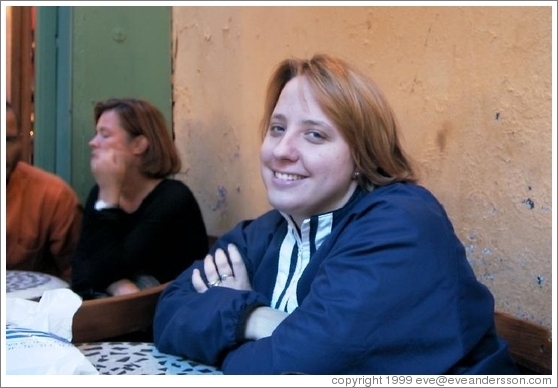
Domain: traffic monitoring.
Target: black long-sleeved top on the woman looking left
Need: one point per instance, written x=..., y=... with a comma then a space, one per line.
x=161, y=238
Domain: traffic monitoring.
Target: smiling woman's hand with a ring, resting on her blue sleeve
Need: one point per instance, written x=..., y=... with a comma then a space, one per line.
x=222, y=271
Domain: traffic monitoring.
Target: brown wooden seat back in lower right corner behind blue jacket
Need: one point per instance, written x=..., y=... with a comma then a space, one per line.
x=530, y=344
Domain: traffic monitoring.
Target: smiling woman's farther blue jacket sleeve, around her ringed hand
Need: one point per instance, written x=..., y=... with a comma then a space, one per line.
x=220, y=312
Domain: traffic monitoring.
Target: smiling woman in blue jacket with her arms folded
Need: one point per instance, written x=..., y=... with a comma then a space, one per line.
x=356, y=270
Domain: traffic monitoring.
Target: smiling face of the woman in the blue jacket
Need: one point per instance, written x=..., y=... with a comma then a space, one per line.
x=306, y=164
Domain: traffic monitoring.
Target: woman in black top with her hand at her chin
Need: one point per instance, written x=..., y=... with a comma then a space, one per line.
x=141, y=227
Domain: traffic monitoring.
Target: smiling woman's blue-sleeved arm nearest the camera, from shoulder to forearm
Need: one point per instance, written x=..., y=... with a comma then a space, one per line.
x=393, y=295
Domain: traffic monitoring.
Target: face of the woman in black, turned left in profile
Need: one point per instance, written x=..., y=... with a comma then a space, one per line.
x=109, y=134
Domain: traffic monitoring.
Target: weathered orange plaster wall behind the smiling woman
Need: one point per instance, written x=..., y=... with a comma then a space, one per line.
x=472, y=87
